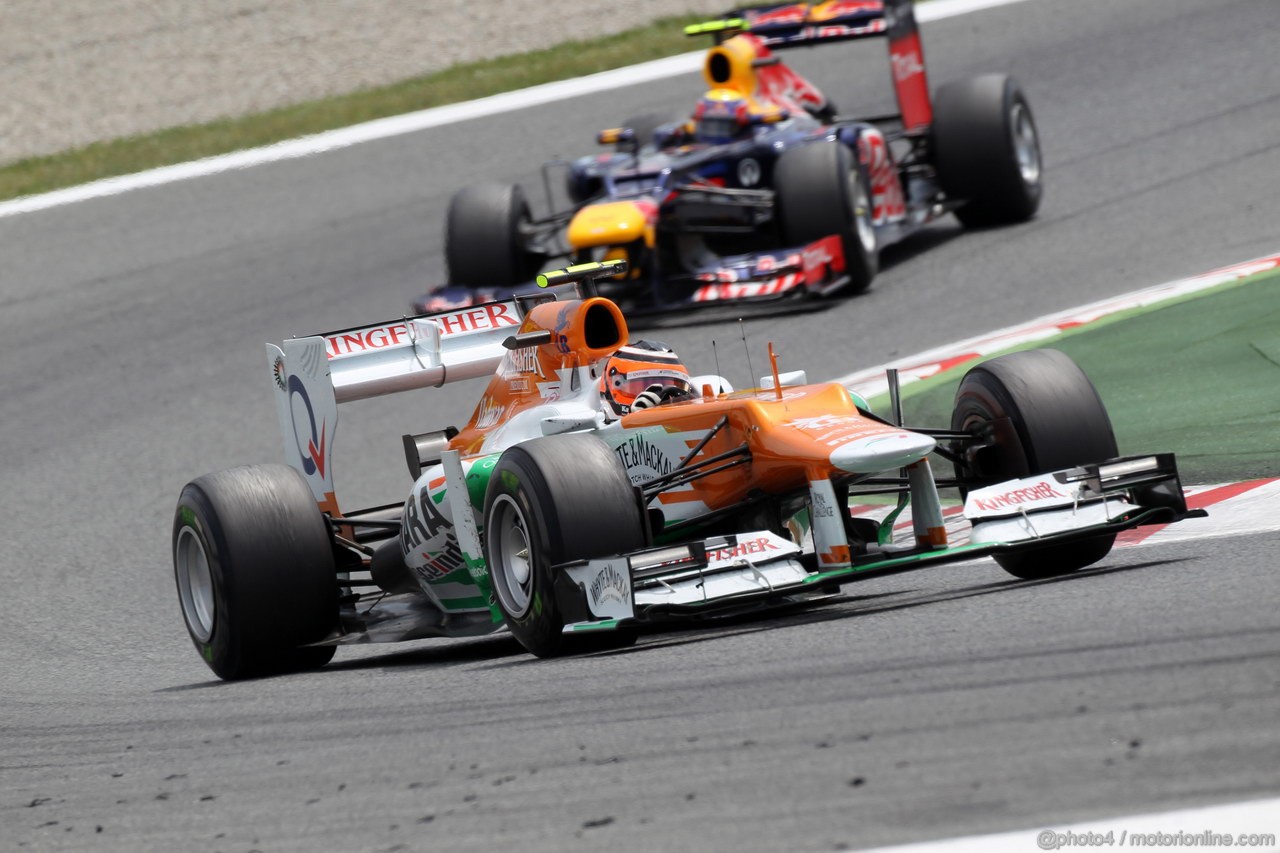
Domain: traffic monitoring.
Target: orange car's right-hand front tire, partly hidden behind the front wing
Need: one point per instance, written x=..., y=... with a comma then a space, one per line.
x=1039, y=413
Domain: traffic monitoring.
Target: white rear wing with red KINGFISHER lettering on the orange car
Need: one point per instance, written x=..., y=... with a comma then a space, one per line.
x=312, y=376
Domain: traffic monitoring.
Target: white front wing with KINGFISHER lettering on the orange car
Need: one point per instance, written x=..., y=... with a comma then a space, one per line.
x=748, y=571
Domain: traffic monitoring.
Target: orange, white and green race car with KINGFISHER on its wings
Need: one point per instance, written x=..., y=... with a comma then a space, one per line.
x=551, y=518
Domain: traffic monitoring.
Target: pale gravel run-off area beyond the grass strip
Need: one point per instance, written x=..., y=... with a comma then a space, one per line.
x=83, y=71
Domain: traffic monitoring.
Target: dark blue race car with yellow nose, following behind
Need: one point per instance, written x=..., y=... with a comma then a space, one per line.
x=765, y=194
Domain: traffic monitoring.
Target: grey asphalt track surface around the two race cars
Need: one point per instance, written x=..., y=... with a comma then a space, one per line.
x=927, y=705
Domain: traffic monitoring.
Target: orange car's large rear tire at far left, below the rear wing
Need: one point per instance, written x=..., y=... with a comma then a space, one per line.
x=255, y=572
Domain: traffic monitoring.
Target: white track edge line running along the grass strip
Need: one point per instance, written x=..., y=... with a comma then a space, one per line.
x=414, y=122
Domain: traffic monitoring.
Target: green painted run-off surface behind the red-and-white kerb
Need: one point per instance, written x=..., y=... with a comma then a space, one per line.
x=1199, y=377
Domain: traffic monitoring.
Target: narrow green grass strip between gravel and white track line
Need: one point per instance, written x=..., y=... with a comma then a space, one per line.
x=455, y=85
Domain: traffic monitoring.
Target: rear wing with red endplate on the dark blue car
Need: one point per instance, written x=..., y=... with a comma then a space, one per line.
x=802, y=25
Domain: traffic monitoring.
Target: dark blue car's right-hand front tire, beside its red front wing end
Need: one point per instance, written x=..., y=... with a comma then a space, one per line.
x=821, y=190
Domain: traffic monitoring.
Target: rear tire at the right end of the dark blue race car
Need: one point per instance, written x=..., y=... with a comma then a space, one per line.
x=988, y=152
